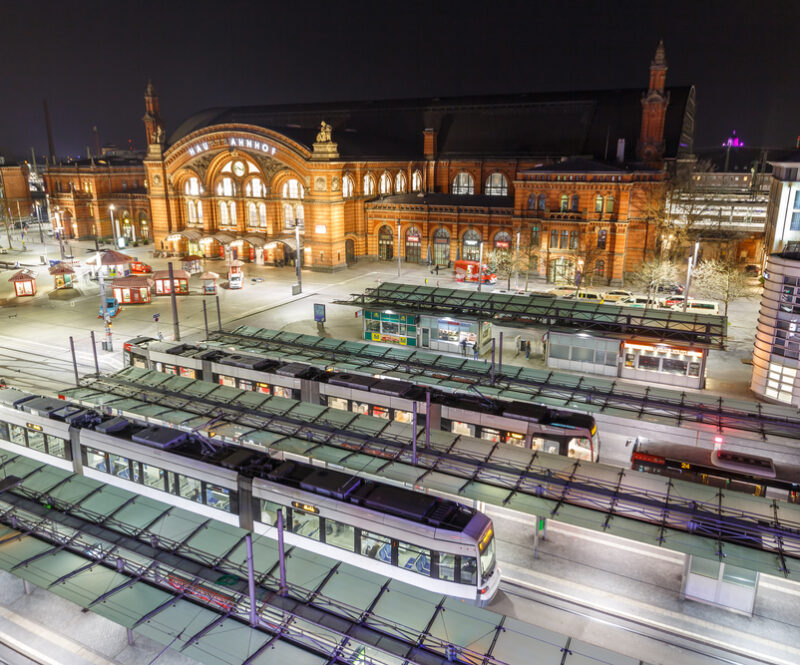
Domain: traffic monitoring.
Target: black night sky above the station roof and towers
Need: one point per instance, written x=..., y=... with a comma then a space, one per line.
x=91, y=60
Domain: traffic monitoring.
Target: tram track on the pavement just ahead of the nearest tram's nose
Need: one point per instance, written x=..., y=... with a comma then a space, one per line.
x=710, y=650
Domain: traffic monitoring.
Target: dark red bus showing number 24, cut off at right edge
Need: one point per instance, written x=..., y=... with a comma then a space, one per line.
x=750, y=474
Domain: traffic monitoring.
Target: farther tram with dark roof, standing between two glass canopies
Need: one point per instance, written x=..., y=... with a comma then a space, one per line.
x=520, y=423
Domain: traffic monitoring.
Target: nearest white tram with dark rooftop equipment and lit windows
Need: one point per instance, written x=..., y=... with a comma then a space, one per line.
x=423, y=540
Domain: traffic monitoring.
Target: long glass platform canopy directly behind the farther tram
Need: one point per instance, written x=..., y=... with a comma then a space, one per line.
x=587, y=394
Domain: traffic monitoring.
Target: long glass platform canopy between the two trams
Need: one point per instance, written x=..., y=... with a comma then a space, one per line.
x=681, y=516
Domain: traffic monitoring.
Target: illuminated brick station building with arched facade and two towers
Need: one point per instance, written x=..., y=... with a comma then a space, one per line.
x=565, y=177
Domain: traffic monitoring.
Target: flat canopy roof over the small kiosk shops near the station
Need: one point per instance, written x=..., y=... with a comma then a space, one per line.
x=701, y=330
